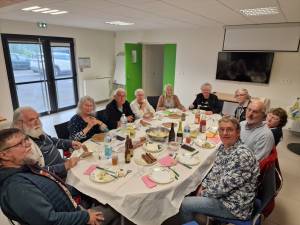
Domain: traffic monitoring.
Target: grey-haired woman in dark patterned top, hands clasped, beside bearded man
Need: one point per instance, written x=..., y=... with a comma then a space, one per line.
x=84, y=124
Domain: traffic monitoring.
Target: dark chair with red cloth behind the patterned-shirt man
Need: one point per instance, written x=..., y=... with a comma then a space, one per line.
x=267, y=190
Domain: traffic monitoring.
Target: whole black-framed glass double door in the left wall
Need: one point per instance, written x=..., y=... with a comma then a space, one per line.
x=41, y=72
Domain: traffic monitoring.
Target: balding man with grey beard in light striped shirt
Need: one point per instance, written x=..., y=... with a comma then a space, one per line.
x=255, y=133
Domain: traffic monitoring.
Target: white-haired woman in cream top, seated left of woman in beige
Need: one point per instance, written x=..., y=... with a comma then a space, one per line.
x=140, y=105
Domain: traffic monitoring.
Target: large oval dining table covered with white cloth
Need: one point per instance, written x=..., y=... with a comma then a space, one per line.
x=129, y=194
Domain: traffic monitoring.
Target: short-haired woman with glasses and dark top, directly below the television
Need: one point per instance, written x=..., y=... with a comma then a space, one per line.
x=243, y=98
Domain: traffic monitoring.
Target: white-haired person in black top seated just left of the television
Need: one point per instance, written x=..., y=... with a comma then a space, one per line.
x=206, y=100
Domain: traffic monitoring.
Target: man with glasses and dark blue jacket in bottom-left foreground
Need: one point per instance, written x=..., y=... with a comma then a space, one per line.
x=33, y=196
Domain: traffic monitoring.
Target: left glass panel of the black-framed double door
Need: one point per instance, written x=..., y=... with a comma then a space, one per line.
x=29, y=75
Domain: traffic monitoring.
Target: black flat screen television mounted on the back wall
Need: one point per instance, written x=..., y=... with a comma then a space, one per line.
x=245, y=66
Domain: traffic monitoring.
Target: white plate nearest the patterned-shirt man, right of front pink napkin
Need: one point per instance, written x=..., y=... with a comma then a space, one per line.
x=161, y=175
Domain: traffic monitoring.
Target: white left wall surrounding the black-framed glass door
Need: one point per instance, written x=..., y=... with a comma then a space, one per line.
x=96, y=44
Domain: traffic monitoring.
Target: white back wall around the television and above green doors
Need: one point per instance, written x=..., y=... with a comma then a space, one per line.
x=197, y=52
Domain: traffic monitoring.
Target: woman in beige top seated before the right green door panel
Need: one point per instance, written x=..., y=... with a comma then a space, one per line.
x=169, y=100
